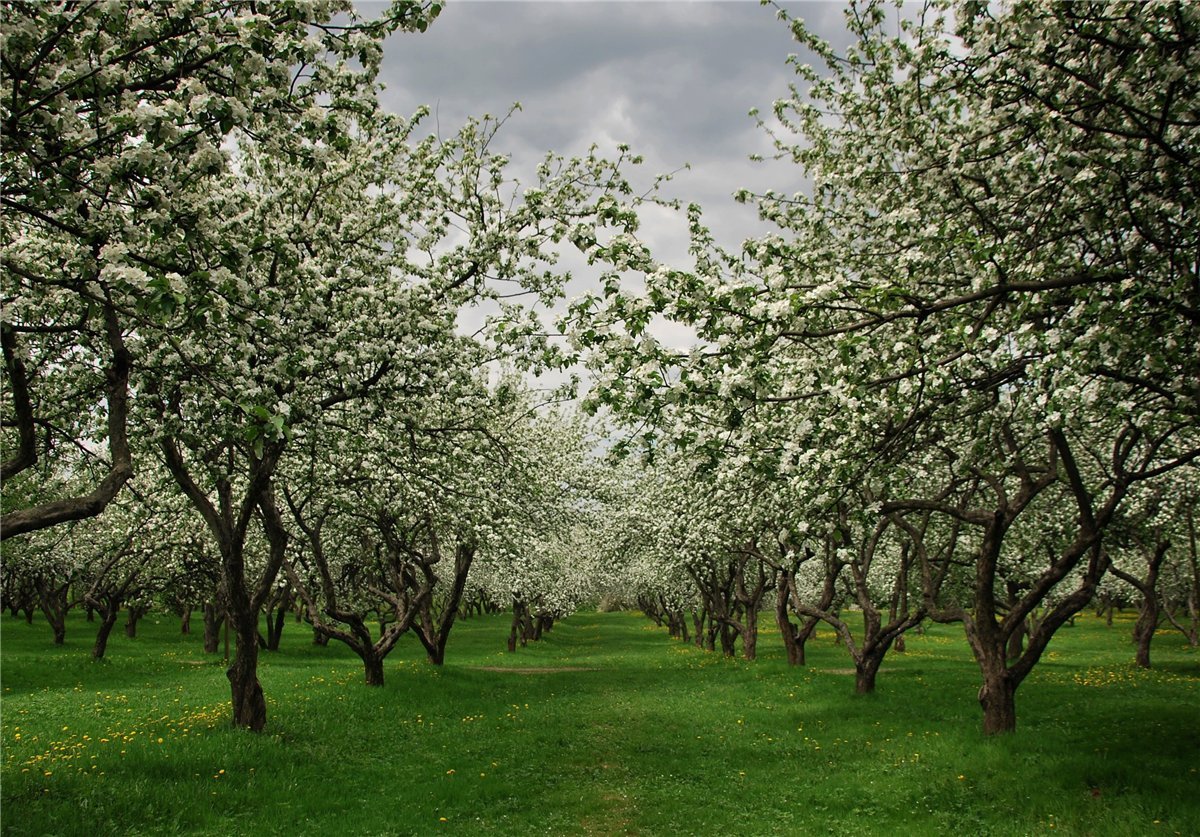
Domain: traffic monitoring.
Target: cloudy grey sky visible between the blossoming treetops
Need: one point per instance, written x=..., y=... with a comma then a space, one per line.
x=673, y=80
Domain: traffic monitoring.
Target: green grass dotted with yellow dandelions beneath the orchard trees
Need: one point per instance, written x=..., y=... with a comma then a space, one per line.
x=628, y=733
